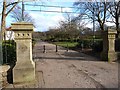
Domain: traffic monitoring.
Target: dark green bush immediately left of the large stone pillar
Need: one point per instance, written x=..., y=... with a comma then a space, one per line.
x=9, y=52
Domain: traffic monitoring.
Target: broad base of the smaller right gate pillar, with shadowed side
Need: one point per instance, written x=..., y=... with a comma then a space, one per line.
x=109, y=56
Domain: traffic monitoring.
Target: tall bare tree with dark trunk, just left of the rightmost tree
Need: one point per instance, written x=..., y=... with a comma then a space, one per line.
x=96, y=11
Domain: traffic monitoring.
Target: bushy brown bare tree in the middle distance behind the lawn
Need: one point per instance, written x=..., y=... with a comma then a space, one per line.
x=71, y=27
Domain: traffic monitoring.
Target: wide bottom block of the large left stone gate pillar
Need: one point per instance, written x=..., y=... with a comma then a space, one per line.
x=23, y=74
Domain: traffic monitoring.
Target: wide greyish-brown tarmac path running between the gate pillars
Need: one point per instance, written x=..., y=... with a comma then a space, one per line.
x=71, y=69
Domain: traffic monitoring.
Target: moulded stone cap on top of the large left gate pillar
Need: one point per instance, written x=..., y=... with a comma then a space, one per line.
x=22, y=26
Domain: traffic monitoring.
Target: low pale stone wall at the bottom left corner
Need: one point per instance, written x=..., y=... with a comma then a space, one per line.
x=3, y=75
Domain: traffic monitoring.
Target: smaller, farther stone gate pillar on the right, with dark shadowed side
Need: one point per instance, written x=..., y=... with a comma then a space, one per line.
x=109, y=45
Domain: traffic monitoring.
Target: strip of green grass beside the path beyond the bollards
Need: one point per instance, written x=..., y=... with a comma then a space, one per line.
x=64, y=44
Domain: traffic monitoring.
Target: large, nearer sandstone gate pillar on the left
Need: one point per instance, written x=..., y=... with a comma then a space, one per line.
x=24, y=70
